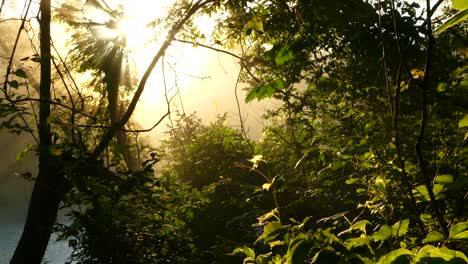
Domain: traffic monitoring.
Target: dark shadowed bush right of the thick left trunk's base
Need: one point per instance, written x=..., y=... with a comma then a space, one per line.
x=130, y=217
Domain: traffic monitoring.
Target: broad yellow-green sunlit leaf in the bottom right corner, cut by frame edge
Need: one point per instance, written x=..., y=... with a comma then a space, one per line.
x=431, y=254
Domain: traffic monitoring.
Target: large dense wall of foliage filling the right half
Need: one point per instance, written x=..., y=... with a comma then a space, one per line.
x=363, y=132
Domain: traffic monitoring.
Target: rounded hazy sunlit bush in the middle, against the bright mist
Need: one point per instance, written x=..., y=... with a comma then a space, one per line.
x=201, y=154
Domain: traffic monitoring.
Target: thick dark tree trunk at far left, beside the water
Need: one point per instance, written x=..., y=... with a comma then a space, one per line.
x=48, y=186
